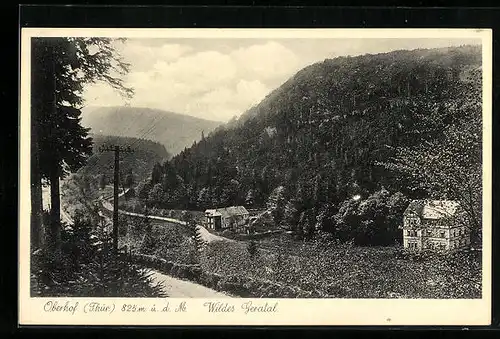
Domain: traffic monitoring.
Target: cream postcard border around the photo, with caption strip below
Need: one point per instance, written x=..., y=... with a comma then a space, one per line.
x=289, y=311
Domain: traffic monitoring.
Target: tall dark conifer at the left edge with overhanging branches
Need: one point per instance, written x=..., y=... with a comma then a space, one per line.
x=60, y=68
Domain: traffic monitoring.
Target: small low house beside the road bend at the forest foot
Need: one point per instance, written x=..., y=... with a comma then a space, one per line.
x=233, y=217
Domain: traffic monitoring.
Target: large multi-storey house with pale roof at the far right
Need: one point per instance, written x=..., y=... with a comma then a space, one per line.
x=434, y=225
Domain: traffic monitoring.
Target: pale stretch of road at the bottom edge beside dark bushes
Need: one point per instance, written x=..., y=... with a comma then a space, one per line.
x=176, y=288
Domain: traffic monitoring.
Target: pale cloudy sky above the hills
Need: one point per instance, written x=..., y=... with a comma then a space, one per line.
x=218, y=79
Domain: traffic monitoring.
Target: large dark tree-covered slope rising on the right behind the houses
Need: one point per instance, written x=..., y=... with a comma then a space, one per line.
x=342, y=145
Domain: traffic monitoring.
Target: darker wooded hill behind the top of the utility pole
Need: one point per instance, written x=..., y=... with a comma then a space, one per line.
x=134, y=167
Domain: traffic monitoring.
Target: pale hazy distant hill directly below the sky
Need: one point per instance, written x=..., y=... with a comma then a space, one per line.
x=174, y=131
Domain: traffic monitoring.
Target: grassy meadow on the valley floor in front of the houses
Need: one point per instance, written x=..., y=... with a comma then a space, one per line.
x=326, y=268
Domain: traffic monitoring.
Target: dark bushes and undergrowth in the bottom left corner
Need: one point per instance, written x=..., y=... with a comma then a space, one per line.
x=86, y=267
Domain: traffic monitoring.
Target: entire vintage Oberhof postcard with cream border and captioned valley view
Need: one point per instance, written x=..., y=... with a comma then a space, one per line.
x=255, y=177
